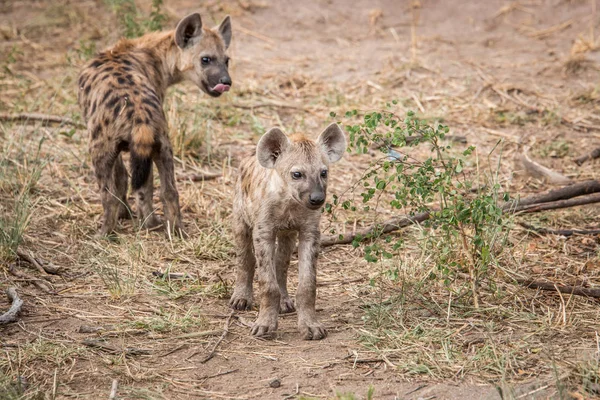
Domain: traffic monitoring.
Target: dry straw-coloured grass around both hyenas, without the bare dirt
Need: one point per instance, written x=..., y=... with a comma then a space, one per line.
x=395, y=317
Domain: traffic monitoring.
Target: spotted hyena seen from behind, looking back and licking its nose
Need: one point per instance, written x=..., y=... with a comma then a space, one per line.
x=121, y=93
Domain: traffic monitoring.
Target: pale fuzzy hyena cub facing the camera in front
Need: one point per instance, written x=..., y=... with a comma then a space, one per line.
x=278, y=197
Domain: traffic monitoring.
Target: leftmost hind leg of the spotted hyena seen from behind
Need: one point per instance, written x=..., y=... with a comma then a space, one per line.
x=104, y=163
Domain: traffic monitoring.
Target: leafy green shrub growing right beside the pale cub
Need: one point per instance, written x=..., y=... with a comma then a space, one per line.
x=465, y=225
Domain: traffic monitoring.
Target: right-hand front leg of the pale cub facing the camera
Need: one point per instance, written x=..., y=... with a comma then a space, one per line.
x=308, y=251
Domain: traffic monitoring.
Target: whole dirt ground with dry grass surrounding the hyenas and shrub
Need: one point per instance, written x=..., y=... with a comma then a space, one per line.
x=524, y=72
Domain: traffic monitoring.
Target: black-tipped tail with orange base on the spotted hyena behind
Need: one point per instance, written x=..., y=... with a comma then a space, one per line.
x=141, y=155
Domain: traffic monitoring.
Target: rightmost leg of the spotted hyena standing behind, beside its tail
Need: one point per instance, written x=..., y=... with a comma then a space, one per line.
x=168, y=189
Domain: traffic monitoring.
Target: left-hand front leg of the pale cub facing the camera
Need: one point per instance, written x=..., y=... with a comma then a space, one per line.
x=264, y=249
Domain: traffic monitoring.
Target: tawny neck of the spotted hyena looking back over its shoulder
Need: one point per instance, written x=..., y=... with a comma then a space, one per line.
x=163, y=51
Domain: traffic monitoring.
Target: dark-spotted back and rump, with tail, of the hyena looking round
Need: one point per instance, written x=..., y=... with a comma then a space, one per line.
x=124, y=111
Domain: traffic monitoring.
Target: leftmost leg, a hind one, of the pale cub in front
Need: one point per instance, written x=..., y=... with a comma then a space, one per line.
x=242, y=294
